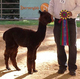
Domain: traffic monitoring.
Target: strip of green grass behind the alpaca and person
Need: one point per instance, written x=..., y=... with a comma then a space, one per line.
x=27, y=23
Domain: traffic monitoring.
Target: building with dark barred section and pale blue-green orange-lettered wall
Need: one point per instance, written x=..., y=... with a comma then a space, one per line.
x=22, y=9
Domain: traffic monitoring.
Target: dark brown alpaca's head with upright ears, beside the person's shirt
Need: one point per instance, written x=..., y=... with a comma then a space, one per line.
x=45, y=17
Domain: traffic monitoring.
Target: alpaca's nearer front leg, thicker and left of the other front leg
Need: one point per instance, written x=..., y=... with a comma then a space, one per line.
x=29, y=61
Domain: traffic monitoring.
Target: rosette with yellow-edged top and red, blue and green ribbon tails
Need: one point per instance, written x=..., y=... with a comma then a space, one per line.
x=65, y=37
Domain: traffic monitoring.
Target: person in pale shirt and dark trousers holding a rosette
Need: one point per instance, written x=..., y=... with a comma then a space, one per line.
x=73, y=8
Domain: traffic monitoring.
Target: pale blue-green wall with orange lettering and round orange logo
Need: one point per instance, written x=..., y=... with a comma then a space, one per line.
x=30, y=8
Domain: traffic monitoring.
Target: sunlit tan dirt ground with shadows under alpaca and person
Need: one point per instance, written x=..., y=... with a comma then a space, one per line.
x=46, y=62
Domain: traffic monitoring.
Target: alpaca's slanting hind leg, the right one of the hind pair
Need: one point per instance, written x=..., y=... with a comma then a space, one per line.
x=13, y=58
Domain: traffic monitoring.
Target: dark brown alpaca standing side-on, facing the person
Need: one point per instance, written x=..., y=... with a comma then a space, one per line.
x=15, y=37
